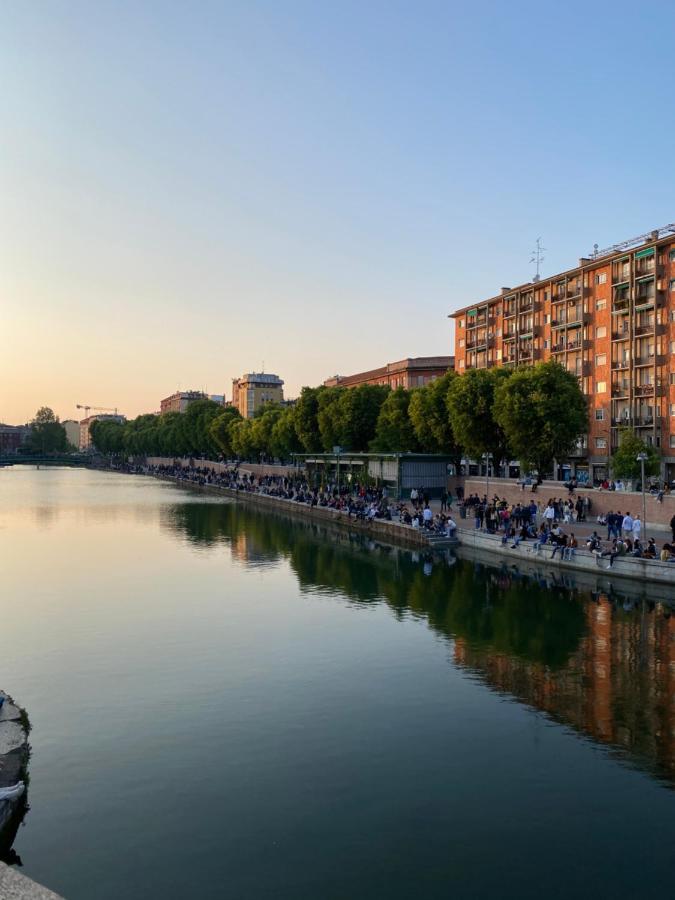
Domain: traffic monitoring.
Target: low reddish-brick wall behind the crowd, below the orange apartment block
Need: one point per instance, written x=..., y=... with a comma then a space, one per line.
x=658, y=514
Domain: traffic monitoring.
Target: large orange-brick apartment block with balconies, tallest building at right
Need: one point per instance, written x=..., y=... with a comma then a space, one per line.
x=611, y=321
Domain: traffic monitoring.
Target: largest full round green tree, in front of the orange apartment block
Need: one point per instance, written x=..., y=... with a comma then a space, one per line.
x=542, y=412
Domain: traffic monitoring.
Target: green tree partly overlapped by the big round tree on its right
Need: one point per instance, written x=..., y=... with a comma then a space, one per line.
x=470, y=403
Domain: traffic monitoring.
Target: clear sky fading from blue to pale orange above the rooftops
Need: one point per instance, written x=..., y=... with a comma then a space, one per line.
x=193, y=191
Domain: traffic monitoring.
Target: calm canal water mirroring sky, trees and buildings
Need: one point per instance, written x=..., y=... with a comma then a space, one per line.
x=227, y=703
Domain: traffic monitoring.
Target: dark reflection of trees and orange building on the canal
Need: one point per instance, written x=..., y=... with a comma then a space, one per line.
x=598, y=659
